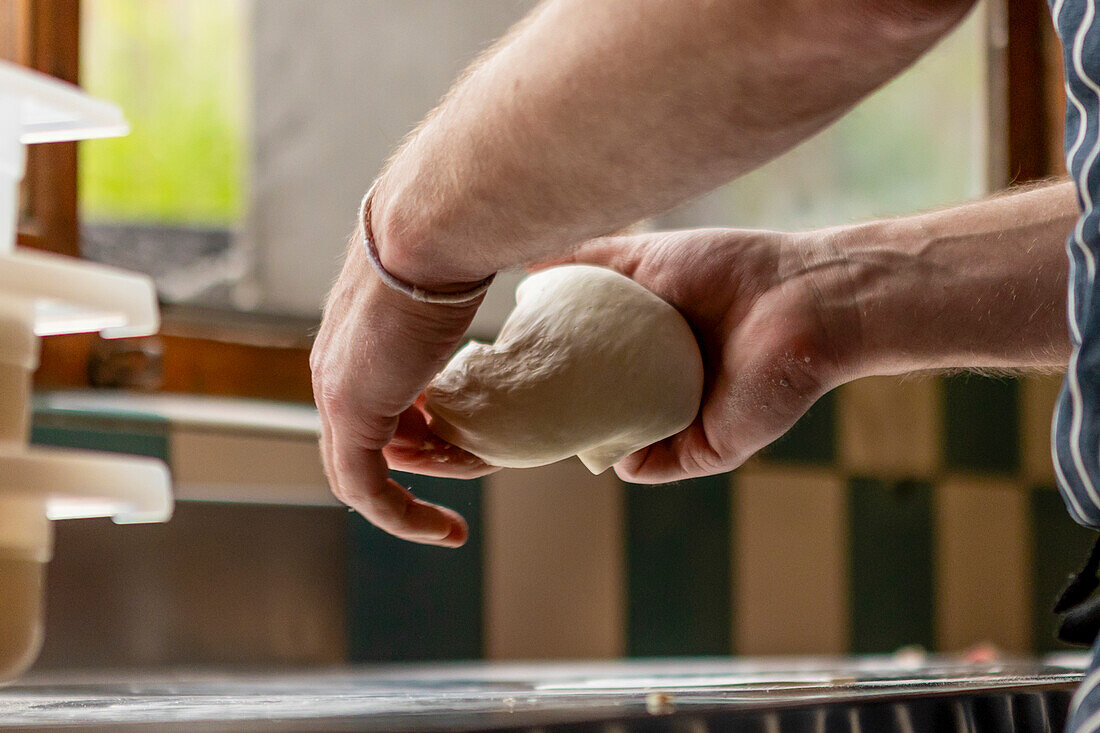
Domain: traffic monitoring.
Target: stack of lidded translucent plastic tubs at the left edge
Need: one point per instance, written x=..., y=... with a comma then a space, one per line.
x=45, y=296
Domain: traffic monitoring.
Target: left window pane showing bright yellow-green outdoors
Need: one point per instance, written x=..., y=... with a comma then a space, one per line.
x=169, y=199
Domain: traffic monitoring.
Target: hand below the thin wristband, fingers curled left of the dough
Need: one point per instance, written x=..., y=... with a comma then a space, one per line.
x=376, y=353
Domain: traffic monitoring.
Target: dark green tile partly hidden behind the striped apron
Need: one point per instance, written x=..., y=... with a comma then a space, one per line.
x=1060, y=548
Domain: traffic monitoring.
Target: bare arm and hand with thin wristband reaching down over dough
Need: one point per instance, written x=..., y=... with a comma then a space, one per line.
x=589, y=116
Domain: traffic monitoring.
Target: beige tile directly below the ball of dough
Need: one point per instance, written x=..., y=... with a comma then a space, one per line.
x=555, y=577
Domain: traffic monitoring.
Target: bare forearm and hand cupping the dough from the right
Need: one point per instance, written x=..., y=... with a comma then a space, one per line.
x=785, y=318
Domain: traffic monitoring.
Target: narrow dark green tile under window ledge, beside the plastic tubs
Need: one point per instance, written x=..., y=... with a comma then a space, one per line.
x=138, y=435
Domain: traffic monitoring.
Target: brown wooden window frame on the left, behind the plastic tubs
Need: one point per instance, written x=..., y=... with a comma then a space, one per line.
x=197, y=352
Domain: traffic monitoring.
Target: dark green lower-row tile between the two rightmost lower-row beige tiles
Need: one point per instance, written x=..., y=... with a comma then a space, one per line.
x=893, y=588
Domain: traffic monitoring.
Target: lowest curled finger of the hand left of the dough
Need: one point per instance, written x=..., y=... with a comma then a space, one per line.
x=362, y=483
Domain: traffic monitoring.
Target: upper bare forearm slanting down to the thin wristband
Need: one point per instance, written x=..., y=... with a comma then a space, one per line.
x=593, y=115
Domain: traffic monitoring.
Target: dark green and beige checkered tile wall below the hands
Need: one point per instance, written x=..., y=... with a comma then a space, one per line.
x=899, y=512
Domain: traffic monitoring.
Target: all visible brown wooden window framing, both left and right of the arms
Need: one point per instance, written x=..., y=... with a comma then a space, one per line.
x=262, y=357
